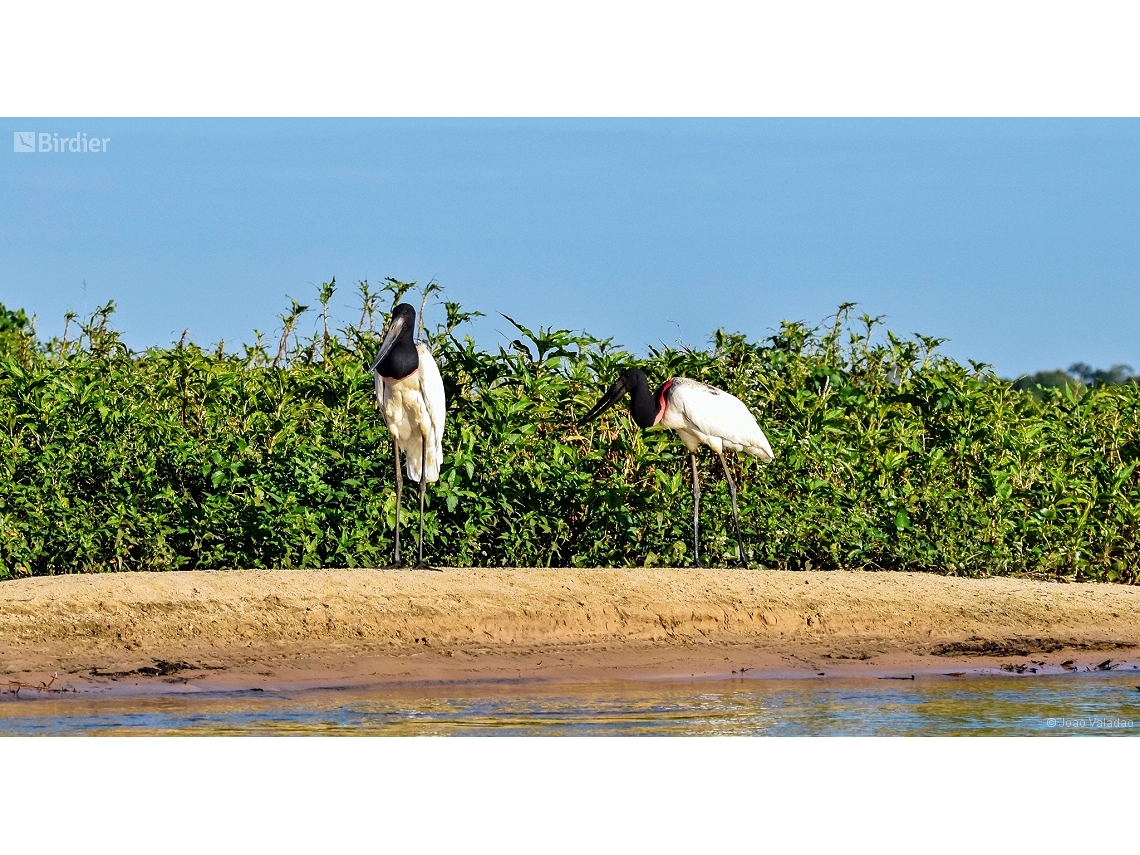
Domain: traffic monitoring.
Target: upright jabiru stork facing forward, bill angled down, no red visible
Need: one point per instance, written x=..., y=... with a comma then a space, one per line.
x=411, y=394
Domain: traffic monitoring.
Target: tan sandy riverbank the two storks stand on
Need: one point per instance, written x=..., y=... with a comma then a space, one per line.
x=307, y=629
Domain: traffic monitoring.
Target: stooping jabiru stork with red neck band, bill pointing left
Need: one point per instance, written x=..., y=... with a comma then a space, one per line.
x=702, y=417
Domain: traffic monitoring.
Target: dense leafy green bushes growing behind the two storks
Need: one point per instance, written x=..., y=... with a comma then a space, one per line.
x=889, y=457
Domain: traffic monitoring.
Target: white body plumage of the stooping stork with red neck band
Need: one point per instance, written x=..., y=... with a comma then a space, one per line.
x=715, y=418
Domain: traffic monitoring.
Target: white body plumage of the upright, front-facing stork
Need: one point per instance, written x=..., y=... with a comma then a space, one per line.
x=414, y=410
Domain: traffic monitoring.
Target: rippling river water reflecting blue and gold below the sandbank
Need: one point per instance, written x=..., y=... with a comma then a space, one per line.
x=1104, y=705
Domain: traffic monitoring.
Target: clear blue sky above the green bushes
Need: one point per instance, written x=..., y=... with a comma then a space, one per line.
x=1017, y=240
